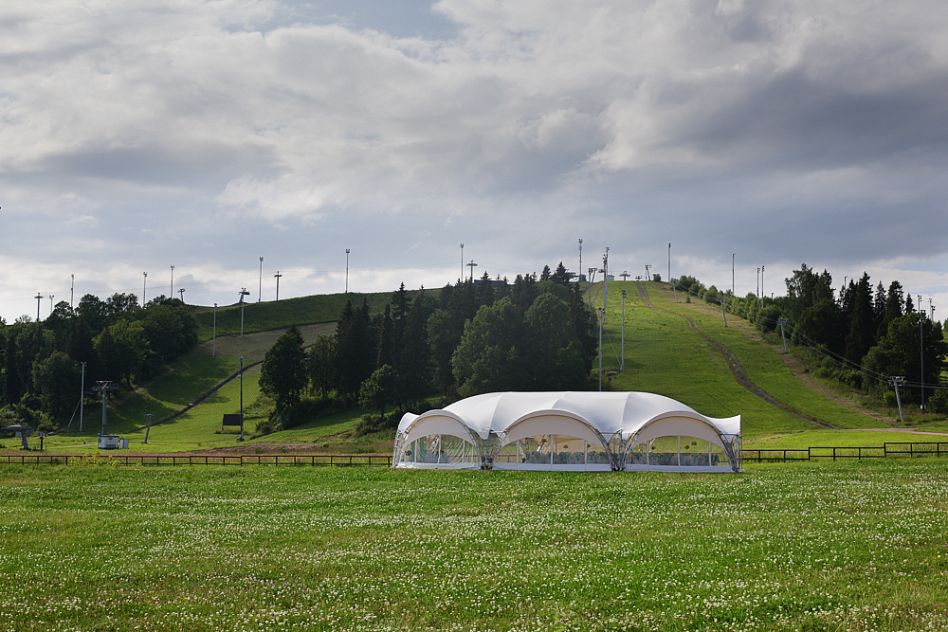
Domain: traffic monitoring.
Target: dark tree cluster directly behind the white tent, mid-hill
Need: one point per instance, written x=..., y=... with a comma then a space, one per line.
x=468, y=338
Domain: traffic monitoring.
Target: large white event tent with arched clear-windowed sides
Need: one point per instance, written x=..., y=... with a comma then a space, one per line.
x=573, y=430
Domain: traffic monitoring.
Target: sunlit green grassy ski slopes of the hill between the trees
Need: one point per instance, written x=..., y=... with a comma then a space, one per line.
x=681, y=350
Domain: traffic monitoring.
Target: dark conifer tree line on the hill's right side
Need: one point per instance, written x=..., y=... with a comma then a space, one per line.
x=867, y=333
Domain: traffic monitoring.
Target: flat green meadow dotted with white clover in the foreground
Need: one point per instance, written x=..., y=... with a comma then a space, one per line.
x=852, y=546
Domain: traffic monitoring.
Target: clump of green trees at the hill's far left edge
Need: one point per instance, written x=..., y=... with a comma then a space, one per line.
x=116, y=340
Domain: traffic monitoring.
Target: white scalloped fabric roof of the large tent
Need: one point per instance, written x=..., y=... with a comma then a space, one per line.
x=612, y=412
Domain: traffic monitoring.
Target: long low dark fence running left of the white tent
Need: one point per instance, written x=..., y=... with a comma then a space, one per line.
x=338, y=460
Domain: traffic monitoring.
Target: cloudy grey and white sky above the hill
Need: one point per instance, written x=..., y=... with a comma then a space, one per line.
x=357, y=144
